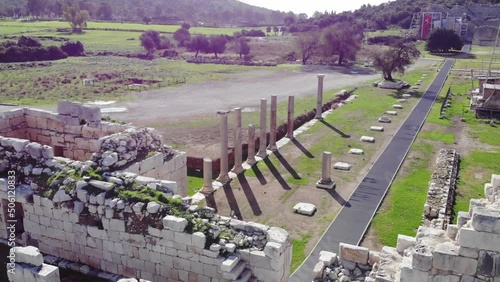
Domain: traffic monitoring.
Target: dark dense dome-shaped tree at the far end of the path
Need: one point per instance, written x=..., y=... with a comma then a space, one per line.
x=442, y=40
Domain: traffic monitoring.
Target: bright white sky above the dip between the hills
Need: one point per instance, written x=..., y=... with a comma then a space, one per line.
x=310, y=6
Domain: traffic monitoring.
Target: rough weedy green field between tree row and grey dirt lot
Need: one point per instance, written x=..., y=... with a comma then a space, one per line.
x=63, y=79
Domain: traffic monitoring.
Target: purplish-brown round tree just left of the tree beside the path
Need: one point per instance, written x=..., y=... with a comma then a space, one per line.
x=343, y=40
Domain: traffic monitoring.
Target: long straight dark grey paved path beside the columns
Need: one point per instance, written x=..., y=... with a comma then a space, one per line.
x=354, y=218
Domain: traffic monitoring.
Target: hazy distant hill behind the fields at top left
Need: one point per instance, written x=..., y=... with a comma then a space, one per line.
x=208, y=12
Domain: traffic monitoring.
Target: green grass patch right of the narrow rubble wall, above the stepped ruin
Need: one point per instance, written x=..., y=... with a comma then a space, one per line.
x=475, y=169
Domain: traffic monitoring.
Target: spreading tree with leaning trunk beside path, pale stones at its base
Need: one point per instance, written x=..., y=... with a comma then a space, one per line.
x=396, y=58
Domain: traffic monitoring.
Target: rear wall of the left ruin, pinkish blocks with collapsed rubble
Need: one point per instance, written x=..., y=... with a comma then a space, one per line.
x=76, y=132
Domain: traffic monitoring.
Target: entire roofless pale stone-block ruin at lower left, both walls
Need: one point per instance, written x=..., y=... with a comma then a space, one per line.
x=101, y=207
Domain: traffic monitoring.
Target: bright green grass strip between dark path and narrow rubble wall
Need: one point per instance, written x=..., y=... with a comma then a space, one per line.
x=403, y=216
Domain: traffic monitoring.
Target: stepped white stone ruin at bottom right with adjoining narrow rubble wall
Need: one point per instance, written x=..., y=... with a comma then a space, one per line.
x=440, y=251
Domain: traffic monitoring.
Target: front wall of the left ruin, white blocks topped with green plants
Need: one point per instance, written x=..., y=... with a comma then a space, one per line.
x=127, y=224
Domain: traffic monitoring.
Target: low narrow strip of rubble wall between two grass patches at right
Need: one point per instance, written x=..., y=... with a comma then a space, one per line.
x=441, y=194
